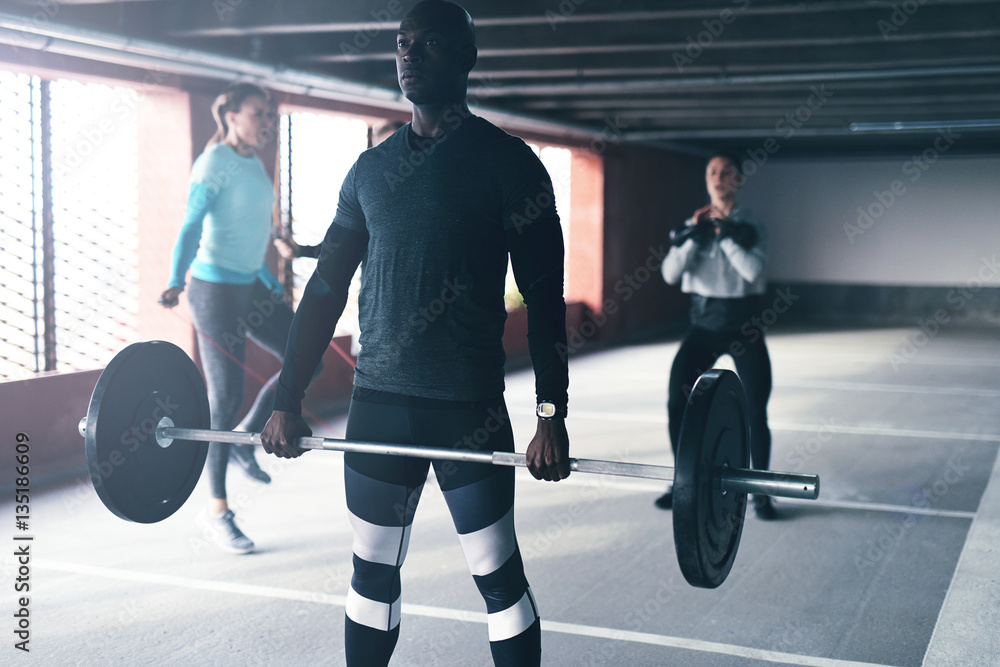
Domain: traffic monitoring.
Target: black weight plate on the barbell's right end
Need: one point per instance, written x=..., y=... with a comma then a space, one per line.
x=707, y=522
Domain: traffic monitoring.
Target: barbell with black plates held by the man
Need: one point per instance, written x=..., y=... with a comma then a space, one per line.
x=147, y=440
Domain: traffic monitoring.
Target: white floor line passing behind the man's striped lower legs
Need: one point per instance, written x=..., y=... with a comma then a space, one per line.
x=447, y=614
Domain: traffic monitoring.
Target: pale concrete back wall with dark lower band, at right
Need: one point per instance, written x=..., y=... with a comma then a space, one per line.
x=889, y=240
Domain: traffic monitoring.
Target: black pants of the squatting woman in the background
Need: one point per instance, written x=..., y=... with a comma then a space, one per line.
x=698, y=352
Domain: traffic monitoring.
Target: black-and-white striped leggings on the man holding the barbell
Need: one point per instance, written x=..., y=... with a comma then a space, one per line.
x=382, y=497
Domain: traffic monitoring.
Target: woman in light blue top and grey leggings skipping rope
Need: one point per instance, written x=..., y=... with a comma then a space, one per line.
x=232, y=293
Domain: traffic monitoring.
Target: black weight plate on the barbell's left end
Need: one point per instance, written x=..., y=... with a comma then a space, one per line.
x=136, y=478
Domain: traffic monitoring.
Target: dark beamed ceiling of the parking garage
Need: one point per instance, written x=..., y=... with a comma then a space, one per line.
x=806, y=77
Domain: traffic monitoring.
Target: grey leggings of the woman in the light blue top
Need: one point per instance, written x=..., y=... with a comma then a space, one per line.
x=224, y=315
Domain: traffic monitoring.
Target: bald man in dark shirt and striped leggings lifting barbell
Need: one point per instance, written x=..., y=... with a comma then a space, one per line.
x=437, y=207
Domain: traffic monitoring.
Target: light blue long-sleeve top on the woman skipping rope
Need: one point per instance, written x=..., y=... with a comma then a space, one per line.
x=227, y=226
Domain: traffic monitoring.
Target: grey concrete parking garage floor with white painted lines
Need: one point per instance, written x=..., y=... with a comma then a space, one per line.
x=895, y=564
